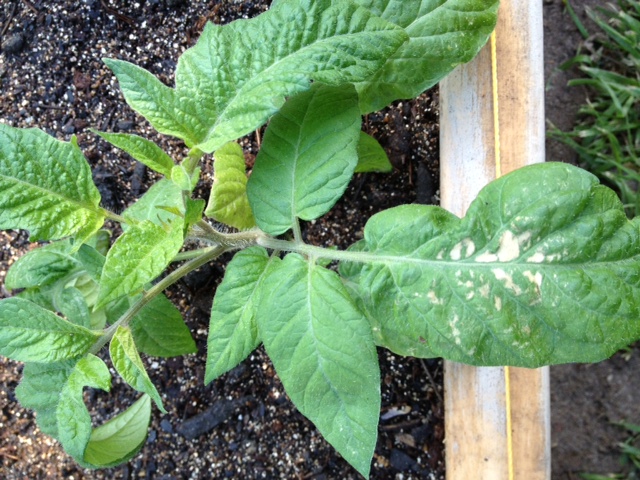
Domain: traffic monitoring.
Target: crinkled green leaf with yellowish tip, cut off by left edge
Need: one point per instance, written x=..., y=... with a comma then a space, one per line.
x=46, y=186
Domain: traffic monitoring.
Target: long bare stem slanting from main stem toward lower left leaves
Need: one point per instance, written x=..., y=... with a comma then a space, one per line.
x=206, y=256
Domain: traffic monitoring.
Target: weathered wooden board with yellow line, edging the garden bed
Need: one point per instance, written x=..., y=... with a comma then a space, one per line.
x=492, y=122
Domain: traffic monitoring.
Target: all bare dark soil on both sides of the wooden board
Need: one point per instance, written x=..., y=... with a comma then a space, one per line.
x=242, y=425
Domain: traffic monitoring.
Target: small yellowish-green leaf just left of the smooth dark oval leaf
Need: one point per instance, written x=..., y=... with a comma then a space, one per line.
x=228, y=202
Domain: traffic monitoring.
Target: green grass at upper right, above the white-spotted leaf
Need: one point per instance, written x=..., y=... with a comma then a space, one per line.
x=607, y=135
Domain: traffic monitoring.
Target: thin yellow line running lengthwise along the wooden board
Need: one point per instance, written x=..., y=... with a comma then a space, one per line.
x=496, y=140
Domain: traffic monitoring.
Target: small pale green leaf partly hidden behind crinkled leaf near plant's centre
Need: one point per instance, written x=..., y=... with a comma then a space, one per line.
x=164, y=193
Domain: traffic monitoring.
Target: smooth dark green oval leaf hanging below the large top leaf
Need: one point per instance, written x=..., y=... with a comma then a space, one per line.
x=308, y=156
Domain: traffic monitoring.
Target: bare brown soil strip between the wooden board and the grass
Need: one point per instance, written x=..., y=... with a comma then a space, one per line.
x=586, y=400
